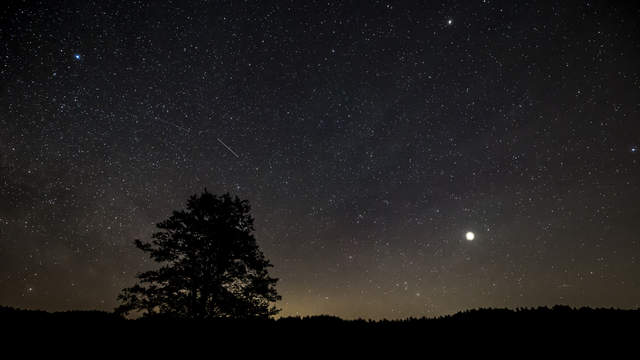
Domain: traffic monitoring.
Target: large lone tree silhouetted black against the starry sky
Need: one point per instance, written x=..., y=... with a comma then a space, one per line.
x=211, y=266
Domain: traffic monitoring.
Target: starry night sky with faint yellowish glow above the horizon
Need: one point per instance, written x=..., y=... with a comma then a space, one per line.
x=369, y=138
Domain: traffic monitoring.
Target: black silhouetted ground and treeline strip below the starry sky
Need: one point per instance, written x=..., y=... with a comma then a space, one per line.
x=542, y=332
